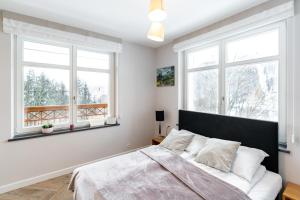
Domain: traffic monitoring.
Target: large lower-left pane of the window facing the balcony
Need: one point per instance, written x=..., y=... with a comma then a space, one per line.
x=46, y=96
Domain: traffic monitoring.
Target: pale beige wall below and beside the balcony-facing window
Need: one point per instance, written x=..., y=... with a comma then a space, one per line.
x=29, y=158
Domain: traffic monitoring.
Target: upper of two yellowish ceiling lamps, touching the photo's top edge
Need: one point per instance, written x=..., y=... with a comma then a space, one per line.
x=157, y=11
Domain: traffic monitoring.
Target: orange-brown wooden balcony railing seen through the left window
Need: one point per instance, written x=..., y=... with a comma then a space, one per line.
x=38, y=115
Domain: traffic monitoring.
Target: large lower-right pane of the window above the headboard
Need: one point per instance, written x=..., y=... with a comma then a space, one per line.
x=252, y=91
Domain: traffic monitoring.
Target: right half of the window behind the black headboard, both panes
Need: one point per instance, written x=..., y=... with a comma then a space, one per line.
x=251, y=76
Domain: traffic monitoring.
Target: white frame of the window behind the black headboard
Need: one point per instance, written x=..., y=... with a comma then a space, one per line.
x=282, y=68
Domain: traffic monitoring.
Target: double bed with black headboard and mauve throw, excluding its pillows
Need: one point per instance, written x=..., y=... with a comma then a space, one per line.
x=158, y=173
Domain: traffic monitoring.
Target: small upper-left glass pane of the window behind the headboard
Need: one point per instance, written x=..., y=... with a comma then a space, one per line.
x=203, y=57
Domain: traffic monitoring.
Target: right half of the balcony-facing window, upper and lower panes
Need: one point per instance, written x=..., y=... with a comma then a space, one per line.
x=93, y=85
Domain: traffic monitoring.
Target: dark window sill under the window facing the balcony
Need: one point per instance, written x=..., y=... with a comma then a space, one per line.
x=57, y=132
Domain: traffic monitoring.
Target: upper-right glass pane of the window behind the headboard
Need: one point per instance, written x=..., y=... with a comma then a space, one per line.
x=256, y=46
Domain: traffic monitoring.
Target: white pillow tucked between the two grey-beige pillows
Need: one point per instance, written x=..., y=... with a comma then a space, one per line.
x=198, y=142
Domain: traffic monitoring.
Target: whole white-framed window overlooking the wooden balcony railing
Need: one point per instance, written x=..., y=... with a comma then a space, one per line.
x=62, y=84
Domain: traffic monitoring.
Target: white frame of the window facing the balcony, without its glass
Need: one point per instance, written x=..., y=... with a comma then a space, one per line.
x=72, y=67
